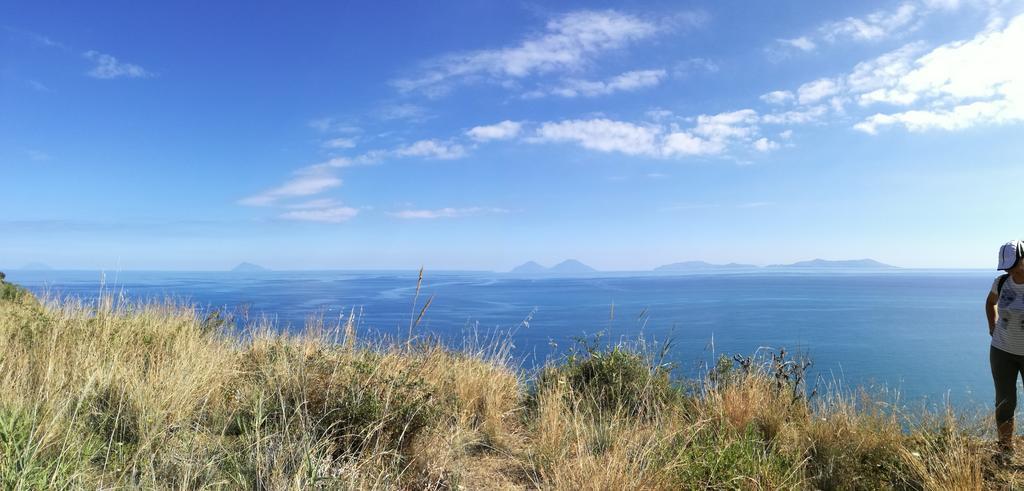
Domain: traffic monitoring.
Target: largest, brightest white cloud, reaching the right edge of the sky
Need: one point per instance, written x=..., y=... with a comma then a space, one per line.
x=954, y=87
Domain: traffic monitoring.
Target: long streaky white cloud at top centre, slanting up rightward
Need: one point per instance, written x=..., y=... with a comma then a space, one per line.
x=569, y=43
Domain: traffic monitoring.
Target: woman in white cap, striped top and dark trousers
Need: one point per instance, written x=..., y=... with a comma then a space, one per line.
x=1005, y=309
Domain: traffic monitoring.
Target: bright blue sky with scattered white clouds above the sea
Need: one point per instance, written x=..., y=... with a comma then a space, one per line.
x=481, y=135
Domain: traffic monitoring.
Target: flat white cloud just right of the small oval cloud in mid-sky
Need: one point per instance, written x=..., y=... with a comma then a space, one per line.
x=603, y=135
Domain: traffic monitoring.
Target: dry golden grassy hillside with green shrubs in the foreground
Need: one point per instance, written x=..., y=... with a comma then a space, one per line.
x=116, y=395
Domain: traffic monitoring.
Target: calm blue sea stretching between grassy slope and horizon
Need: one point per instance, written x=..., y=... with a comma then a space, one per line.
x=921, y=334
